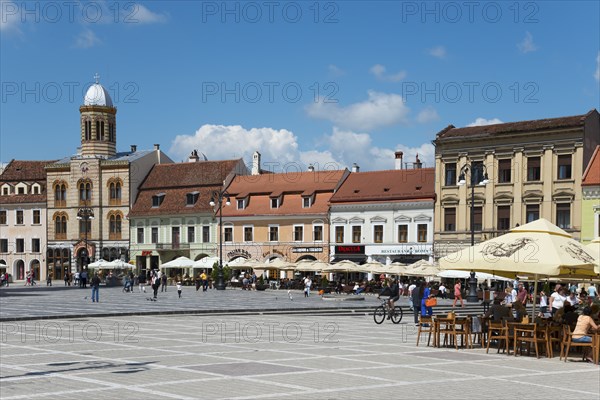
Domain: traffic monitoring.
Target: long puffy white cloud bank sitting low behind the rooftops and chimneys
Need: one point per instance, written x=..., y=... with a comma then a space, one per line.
x=280, y=149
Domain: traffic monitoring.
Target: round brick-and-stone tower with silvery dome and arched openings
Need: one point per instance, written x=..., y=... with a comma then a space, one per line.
x=98, y=123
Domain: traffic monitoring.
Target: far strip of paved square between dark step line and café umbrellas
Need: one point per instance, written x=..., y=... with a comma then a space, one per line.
x=43, y=302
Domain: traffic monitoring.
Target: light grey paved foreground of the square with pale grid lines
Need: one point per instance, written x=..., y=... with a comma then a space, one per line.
x=264, y=356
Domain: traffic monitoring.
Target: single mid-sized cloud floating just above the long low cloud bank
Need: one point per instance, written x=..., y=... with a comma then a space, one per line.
x=380, y=109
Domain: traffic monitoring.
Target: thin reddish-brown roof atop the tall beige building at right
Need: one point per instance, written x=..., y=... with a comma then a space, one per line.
x=451, y=131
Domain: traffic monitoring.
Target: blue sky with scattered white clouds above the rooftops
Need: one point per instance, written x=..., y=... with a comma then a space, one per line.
x=328, y=83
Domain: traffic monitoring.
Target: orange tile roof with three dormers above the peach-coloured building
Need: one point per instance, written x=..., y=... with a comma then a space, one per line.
x=259, y=189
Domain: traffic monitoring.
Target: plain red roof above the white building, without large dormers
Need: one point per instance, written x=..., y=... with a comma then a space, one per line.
x=390, y=185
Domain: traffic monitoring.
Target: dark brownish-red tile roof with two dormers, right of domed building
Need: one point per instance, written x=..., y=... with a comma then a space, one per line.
x=176, y=181
